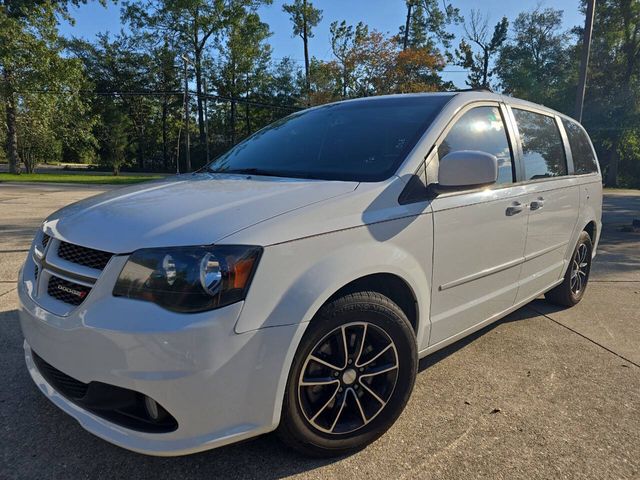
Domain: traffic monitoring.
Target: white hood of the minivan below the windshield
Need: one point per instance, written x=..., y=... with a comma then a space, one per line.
x=196, y=209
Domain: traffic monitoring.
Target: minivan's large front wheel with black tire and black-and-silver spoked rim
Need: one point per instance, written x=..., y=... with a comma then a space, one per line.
x=342, y=414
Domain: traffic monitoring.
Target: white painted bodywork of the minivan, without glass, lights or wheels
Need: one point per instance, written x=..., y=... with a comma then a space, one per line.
x=222, y=373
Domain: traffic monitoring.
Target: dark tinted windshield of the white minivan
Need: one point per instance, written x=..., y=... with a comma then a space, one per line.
x=351, y=141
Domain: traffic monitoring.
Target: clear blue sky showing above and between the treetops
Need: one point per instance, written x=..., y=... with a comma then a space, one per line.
x=383, y=15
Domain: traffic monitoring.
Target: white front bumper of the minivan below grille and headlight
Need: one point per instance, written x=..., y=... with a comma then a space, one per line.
x=220, y=386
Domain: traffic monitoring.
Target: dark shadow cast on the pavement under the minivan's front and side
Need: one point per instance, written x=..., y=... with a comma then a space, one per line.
x=38, y=437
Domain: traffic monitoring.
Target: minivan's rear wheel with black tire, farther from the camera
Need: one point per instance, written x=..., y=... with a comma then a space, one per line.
x=572, y=289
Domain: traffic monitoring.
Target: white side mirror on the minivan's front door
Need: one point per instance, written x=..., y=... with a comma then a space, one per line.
x=467, y=168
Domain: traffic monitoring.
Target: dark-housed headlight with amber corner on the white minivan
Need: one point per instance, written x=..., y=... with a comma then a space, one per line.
x=189, y=279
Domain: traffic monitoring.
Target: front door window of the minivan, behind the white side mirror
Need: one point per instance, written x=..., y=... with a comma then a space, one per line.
x=481, y=128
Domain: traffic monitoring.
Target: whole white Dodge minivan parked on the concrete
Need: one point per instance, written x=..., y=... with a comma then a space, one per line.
x=293, y=283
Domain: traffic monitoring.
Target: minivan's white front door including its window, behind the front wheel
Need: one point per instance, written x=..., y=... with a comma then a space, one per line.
x=479, y=235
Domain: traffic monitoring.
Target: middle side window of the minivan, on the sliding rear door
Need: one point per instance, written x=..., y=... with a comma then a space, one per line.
x=542, y=146
